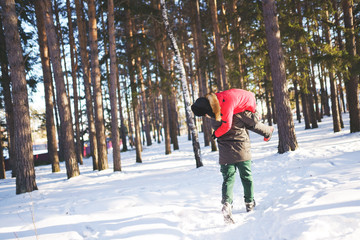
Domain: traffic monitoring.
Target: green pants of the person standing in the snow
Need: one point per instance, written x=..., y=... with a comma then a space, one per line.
x=228, y=171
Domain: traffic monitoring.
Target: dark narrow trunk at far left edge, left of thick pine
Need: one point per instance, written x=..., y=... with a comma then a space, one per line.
x=5, y=84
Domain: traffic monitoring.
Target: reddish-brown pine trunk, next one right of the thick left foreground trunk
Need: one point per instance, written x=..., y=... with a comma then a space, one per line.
x=48, y=87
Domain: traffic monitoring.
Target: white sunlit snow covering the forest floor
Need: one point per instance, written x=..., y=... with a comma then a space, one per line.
x=311, y=193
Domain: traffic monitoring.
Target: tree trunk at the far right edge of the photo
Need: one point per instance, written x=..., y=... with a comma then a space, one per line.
x=352, y=83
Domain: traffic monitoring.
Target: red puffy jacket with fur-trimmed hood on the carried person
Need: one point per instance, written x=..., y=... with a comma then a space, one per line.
x=227, y=103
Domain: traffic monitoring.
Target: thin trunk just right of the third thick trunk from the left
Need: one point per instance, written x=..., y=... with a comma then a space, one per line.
x=74, y=79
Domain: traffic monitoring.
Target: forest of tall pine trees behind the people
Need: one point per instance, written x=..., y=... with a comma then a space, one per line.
x=128, y=71
